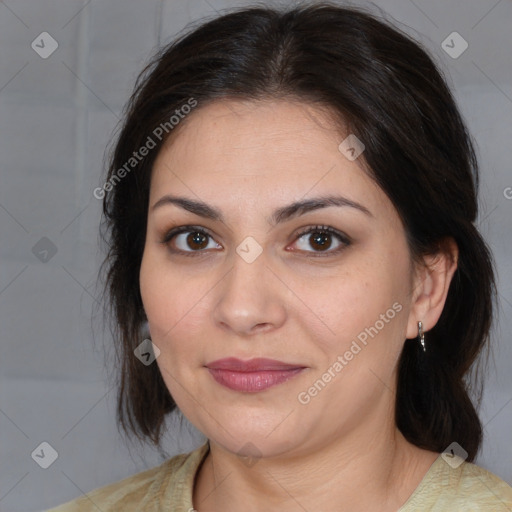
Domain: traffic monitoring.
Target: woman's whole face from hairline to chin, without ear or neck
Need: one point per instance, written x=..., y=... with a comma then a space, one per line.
x=323, y=290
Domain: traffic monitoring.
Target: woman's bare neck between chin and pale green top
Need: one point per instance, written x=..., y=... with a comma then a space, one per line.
x=374, y=470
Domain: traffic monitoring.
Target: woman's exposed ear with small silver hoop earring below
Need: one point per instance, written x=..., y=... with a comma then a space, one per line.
x=430, y=286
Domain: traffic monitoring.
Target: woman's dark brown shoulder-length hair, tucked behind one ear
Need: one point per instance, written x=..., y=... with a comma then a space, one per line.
x=384, y=88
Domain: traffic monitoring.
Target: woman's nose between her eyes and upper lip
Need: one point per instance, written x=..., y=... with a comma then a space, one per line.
x=250, y=299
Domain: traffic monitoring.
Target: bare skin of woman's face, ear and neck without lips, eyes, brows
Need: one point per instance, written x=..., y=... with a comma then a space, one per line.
x=294, y=303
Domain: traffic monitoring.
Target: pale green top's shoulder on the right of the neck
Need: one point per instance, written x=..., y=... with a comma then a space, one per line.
x=456, y=485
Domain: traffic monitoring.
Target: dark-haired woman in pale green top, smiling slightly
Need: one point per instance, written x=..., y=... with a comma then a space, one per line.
x=290, y=210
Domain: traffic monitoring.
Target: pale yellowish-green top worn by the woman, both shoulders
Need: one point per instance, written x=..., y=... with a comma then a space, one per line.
x=168, y=487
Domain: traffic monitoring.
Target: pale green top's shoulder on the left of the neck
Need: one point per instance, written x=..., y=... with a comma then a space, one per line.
x=171, y=482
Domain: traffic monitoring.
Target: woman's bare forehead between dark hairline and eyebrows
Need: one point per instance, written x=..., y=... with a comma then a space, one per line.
x=253, y=151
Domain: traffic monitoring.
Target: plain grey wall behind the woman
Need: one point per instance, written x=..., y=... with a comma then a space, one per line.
x=56, y=116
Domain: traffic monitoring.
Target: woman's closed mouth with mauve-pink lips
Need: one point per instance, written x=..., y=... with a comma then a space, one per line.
x=252, y=376
